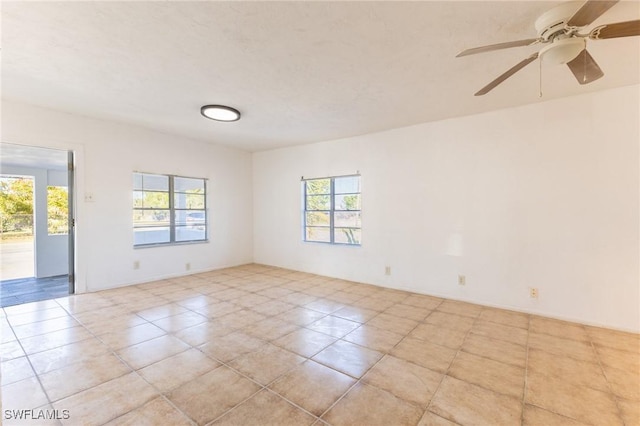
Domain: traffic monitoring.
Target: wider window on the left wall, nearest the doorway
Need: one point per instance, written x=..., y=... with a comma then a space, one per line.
x=168, y=209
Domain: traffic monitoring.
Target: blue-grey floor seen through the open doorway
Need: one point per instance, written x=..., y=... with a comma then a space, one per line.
x=25, y=290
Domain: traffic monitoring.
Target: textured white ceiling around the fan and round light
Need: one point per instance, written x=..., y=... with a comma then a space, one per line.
x=300, y=72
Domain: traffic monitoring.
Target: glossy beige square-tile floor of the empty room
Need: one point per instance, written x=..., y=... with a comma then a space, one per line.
x=256, y=345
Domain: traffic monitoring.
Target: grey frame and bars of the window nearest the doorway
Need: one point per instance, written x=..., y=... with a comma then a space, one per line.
x=172, y=210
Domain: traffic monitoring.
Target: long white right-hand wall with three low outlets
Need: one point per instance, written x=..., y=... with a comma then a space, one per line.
x=543, y=196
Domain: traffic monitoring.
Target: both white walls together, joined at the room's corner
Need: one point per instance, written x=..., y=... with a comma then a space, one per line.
x=542, y=196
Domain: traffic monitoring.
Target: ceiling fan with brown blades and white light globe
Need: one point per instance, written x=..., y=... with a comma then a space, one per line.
x=559, y=29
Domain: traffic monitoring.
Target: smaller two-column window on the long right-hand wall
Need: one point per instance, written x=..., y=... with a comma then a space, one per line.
x=332, y=210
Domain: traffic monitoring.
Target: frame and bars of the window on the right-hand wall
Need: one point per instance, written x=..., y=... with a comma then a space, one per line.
x=331, y=211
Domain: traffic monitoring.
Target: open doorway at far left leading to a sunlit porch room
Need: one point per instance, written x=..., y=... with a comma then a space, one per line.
x=36, y=236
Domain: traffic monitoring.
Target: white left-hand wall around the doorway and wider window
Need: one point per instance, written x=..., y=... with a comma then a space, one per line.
x=107, y=153
